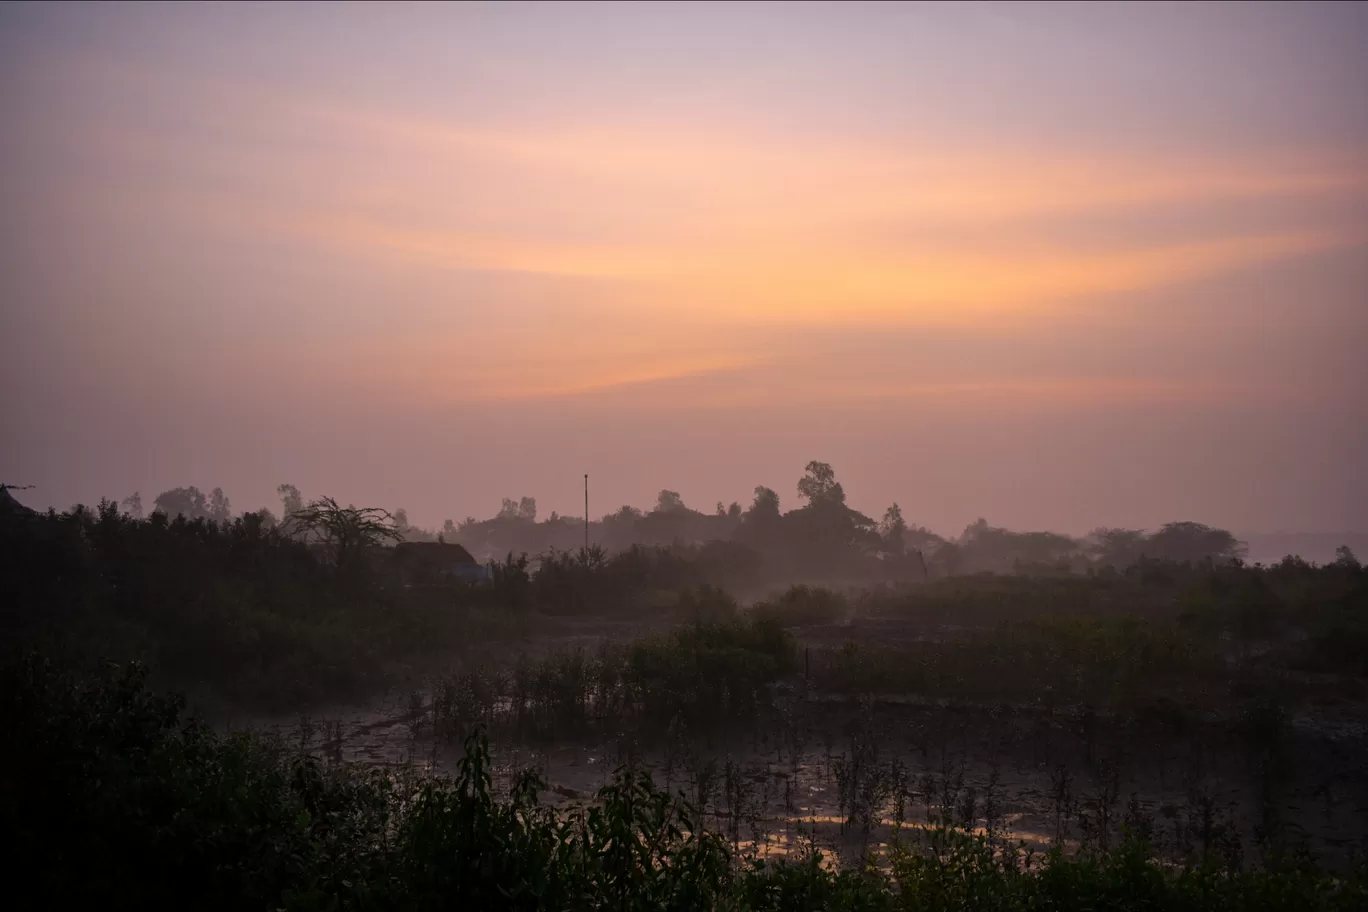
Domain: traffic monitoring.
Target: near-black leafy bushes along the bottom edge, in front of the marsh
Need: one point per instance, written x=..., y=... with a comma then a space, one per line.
x=117, y=802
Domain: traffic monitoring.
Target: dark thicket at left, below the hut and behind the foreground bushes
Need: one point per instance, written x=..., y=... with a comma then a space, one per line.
x=235, y=609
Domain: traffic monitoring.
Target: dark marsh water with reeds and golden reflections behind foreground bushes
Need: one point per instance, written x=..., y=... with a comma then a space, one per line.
x=846, y=773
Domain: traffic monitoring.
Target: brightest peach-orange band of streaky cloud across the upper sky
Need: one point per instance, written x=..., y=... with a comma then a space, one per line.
x=750, y=226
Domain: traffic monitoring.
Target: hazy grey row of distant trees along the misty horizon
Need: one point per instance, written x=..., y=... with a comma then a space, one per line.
x=821, y=538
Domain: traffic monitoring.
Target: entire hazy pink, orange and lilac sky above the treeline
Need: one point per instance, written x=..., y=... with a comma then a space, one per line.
x=1053, y=266
